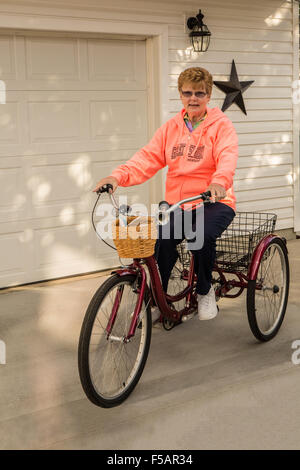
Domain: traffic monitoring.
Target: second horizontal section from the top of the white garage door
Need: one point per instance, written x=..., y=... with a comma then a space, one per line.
x=37, y=117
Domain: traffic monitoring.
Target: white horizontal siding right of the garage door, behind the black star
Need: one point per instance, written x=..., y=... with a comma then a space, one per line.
x=259, y=39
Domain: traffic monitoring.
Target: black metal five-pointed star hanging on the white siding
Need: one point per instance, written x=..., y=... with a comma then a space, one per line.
x=234, y=89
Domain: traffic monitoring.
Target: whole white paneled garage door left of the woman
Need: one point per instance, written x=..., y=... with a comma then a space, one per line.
x=76, y=107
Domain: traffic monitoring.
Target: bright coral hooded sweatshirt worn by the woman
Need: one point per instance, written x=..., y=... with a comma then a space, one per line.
x=194, y=159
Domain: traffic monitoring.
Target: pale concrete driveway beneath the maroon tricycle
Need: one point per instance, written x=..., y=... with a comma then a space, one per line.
x=206, y=385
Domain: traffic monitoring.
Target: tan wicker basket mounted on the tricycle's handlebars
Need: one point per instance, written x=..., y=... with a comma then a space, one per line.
x=135, y=239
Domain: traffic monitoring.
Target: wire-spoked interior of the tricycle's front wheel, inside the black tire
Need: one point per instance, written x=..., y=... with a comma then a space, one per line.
x=113, y=363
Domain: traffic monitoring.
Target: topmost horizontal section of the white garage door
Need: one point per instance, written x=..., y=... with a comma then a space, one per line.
x=63, y=63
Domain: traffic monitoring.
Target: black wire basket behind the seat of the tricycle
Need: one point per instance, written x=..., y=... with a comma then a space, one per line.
x=236, y=245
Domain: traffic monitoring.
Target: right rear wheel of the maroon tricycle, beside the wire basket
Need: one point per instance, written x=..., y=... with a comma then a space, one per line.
x=254, y=309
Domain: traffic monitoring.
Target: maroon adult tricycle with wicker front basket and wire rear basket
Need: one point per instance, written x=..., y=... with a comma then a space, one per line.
x=116, y=332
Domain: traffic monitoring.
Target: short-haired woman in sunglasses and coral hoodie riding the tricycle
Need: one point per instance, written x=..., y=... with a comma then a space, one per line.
x=200, y=147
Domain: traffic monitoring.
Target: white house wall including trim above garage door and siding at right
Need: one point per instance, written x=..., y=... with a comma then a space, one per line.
x=259, y=36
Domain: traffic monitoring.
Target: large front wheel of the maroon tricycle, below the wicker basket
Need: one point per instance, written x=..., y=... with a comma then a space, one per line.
x=110, y=367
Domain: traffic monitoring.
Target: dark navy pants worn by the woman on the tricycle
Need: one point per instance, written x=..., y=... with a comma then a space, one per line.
x=217, y=217
